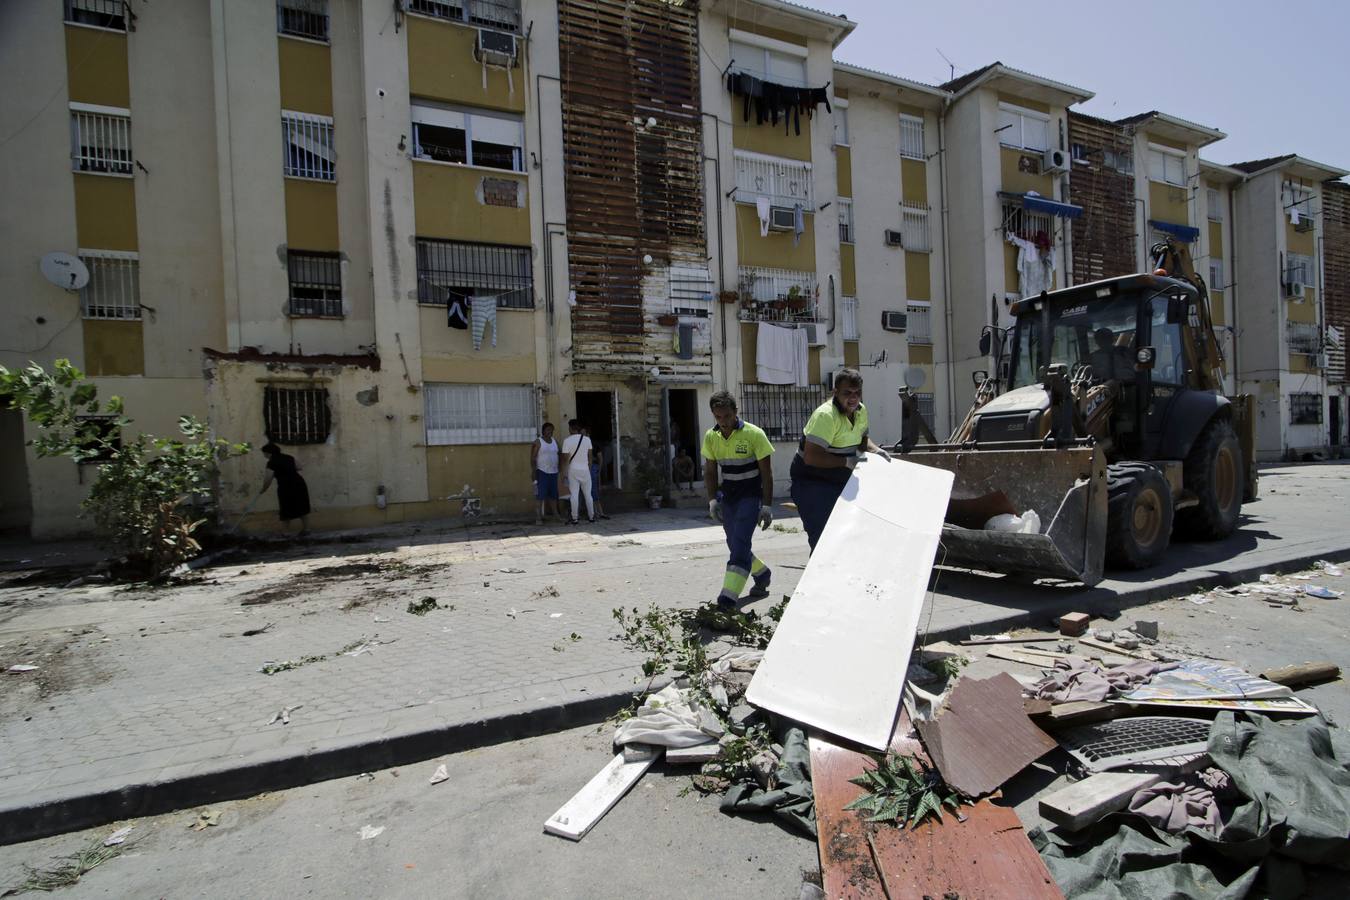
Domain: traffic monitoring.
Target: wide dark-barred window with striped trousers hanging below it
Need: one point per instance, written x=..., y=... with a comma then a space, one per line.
x=452, y=271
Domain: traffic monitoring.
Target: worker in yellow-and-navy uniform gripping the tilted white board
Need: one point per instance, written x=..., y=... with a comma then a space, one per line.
x=834, y=442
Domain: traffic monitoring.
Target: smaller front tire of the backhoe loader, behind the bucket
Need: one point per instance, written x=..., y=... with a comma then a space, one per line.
x=1139, y=516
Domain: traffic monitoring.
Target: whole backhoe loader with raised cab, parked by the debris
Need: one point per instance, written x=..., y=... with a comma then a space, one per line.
x=1105, y=416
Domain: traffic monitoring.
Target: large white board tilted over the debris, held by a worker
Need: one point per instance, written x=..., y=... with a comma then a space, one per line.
x=839, y=658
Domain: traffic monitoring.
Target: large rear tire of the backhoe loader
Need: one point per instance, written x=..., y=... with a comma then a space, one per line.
x=1213, y=472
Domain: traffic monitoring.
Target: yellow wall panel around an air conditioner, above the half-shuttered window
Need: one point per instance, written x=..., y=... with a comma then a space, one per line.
x=442, y=67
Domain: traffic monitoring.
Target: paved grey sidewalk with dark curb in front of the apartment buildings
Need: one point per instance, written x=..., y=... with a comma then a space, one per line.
x=148, y=701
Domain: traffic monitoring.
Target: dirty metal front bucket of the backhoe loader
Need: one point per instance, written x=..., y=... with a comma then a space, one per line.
x=1066, y=488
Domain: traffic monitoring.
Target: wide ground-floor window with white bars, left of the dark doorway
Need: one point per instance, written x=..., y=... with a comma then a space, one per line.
x=481, y=414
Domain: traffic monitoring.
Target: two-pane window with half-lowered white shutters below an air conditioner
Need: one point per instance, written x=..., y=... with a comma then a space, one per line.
x=477, y=138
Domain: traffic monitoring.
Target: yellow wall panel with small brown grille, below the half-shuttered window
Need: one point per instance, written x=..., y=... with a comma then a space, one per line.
x=446, y=206
